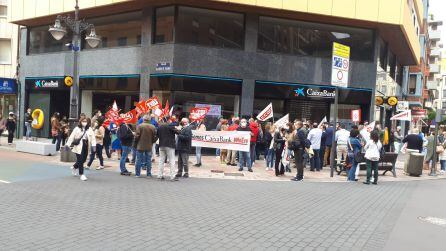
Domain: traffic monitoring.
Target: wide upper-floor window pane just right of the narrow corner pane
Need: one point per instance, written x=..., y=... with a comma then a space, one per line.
x=210, y=27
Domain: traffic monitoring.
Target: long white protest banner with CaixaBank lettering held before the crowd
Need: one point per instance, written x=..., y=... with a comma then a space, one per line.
x=231, y=140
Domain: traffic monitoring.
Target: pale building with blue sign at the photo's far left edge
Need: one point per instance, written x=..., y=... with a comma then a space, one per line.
x=8, y=60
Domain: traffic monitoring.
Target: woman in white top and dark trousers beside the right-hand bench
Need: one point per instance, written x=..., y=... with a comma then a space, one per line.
x=372, y=155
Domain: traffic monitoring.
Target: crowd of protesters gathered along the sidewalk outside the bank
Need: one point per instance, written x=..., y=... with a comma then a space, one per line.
x=297, y=144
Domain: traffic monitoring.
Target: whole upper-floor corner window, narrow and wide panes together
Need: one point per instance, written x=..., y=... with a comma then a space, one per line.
x=199, y=26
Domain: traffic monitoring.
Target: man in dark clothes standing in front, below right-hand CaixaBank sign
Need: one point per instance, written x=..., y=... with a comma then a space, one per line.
x=299, y=148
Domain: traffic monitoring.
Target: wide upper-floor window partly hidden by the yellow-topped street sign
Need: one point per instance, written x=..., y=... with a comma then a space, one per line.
x=312, y=39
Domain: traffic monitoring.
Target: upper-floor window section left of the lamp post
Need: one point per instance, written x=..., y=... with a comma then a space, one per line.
x=41, y=41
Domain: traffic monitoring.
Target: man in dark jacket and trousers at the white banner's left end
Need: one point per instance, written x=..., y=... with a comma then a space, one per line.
x=183, y=147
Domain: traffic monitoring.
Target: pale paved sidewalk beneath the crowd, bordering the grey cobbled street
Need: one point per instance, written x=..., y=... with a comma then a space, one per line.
x=212, y=168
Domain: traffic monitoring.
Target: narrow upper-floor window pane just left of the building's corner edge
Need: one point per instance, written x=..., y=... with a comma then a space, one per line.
x=164, y=23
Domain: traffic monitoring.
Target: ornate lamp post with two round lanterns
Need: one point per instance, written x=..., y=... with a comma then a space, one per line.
x=58, y=31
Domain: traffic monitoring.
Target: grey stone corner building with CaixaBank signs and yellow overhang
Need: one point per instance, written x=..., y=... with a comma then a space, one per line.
x=237, y=56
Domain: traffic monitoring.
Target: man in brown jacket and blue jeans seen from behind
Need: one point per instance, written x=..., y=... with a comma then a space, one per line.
x=145, y=138
